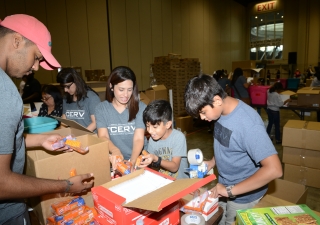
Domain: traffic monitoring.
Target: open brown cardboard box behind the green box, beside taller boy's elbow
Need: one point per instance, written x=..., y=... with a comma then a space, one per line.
x=288, y=191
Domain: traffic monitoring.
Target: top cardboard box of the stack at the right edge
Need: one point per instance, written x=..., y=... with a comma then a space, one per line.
x=301, y=134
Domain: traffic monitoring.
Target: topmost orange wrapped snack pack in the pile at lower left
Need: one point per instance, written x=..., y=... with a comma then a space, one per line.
x=62, y=207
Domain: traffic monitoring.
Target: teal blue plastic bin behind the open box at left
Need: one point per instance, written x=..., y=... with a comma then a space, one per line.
x=37, y=125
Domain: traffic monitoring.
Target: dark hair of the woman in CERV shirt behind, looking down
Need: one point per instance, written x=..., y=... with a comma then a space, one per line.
x=68, y=75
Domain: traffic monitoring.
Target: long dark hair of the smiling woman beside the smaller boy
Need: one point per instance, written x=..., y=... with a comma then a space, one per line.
x=118, y=75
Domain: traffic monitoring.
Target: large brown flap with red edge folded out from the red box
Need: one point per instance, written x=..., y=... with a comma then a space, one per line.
x=168, y=194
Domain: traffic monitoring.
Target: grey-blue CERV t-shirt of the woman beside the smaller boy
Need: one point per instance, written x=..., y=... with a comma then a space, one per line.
x=120, y=131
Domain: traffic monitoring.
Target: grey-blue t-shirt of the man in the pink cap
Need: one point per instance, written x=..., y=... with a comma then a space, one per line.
x=11, y=140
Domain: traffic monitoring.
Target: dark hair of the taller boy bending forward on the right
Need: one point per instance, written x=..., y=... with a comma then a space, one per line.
x=200, y=92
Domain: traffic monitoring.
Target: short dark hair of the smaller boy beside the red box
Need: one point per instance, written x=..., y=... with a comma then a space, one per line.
x=157, y=111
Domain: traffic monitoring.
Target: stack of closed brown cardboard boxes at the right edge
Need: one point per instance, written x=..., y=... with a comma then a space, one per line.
x=301, y=152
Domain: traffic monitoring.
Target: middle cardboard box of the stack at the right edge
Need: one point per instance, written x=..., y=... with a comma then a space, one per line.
x=301, y=157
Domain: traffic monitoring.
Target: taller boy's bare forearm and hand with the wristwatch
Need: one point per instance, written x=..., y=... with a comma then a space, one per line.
x=270, y=169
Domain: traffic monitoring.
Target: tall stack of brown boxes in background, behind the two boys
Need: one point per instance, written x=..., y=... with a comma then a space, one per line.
x=175, y=72
